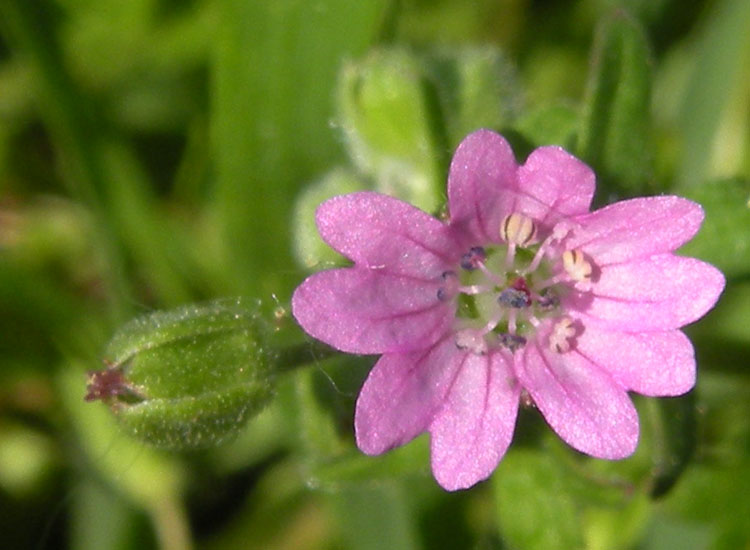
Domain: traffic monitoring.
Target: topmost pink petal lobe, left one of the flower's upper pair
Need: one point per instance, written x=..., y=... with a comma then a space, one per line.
x=483, y=169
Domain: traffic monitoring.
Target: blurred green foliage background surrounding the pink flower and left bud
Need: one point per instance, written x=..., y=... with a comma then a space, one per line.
x=155, y=153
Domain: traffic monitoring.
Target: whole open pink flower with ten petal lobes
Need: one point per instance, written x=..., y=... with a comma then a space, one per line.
x=523, y=292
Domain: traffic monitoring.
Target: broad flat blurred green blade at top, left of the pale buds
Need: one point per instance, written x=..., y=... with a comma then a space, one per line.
x=275, y=71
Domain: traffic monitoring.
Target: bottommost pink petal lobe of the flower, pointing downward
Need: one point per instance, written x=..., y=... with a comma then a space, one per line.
x=473, y=430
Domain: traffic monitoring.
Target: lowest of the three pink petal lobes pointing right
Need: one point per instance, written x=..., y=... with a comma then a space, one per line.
x=649, y=363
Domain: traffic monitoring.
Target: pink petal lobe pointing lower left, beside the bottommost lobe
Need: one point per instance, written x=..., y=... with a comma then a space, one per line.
x=402, y=394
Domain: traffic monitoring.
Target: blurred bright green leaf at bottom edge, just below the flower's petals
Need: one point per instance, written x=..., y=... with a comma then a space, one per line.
x=550, y=500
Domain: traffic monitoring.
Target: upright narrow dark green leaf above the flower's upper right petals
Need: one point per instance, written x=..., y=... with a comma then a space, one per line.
x=615, y=134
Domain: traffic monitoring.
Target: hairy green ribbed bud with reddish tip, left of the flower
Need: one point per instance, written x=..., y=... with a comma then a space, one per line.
x=187, y=378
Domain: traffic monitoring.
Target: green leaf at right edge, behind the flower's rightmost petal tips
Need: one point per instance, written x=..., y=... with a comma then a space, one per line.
x=724, y=238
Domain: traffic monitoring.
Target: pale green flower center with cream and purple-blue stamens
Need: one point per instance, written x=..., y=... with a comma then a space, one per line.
x=506, y=292
